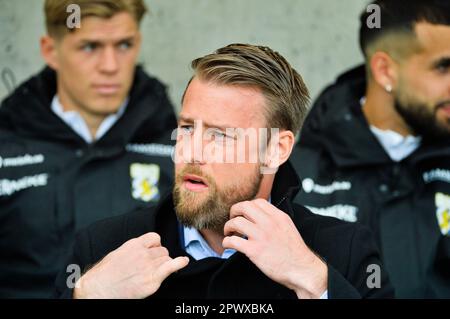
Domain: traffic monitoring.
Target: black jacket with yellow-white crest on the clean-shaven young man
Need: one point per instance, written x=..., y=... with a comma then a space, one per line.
x=52, y=183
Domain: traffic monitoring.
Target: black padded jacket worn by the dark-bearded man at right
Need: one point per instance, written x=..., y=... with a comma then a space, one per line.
x=347, y=174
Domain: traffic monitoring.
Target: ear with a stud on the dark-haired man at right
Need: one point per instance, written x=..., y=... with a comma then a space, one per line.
x=384, y=70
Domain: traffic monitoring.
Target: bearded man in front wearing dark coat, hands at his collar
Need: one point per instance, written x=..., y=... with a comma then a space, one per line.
x=230, y=229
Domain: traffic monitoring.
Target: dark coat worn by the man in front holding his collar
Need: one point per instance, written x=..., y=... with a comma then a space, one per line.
x=347, y=248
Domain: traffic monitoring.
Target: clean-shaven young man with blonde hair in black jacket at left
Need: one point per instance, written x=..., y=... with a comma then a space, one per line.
x=86, y=138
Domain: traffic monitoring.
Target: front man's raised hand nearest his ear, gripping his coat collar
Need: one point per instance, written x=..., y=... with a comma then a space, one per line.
x=275, y=246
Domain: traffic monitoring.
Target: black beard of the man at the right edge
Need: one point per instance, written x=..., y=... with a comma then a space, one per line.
x=422, y=120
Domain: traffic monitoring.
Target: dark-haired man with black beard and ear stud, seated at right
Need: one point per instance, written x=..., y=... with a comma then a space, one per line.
x=375, y=148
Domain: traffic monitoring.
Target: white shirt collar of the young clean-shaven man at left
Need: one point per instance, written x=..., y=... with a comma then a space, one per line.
x=75, y=121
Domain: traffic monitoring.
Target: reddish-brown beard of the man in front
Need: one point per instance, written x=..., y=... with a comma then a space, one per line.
x=211, y=211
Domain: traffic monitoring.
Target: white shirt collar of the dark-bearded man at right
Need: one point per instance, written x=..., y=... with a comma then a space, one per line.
x=398, y=147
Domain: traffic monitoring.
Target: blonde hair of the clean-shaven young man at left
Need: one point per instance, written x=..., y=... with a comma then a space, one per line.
x=56, y=12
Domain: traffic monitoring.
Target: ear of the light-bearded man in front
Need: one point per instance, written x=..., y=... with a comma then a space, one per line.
x=279, y=149
